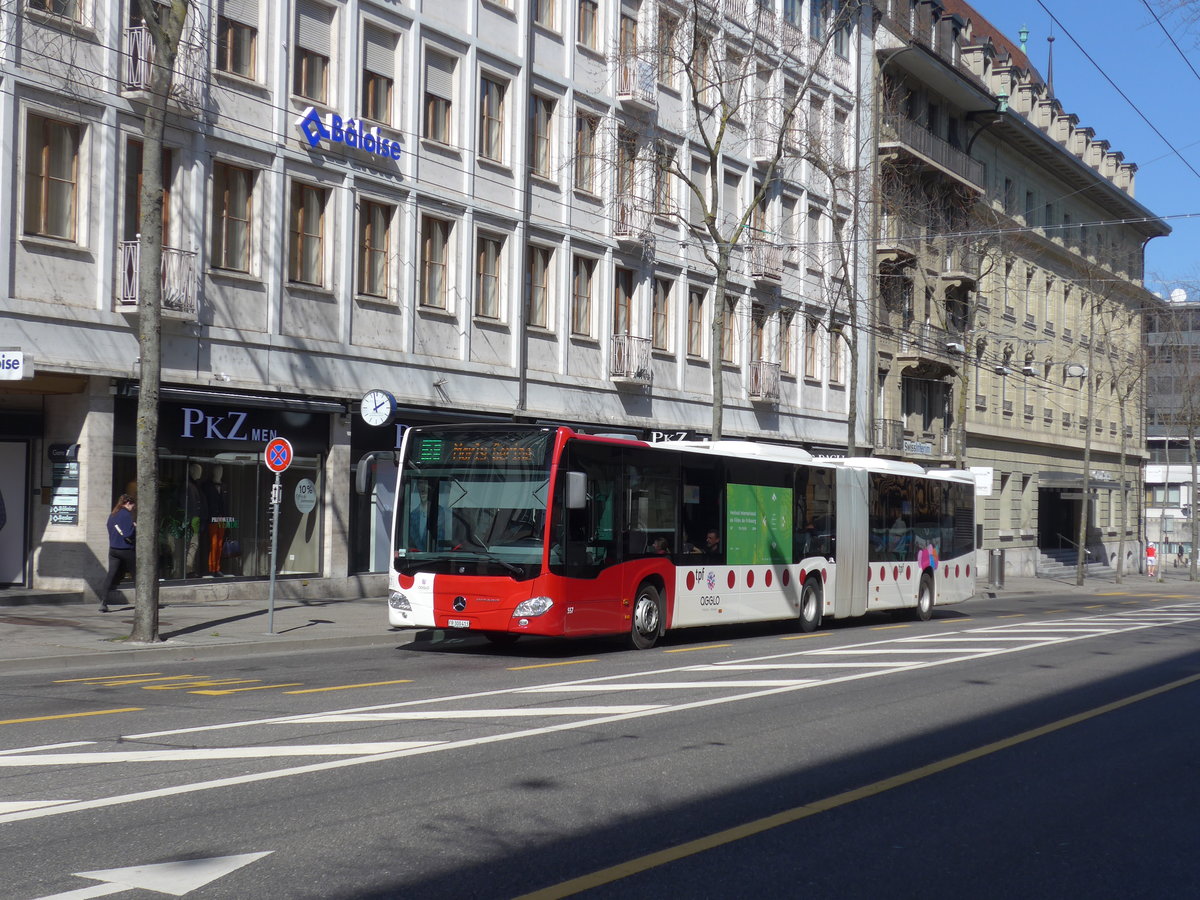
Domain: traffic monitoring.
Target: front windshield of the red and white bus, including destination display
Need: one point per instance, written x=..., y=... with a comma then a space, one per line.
x=473, y=497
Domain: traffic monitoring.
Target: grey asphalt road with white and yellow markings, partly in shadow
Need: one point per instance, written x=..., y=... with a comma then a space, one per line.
x=1033, y=747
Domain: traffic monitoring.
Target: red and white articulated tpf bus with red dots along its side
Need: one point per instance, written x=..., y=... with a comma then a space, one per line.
x=530, y=530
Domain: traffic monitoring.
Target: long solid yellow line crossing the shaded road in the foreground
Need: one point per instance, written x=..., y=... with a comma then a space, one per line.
x=682, y=851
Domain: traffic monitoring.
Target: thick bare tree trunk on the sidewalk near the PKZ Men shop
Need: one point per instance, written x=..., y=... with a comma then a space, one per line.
x=166, y=27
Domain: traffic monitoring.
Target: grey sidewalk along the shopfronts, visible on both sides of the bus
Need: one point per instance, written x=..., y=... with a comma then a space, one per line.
x=44, y=631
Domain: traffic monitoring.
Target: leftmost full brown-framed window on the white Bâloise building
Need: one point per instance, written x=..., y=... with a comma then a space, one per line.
x=52, y=170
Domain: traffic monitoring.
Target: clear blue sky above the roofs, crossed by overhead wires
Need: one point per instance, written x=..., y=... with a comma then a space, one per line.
x=1123, y=38
